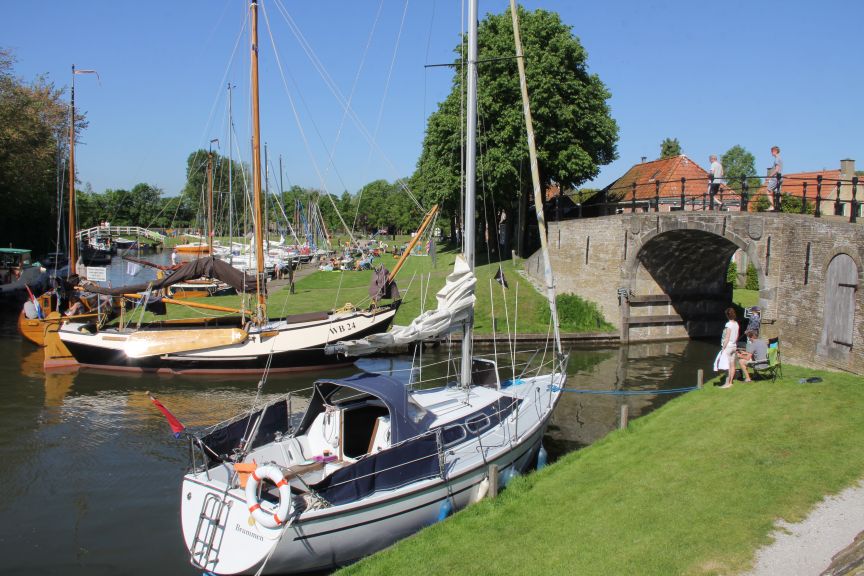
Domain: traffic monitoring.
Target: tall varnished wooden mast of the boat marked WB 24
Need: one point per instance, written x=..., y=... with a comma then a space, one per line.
x=261, y=312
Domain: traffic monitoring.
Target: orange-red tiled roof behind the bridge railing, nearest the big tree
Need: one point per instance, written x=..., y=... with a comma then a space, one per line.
x=668, y=171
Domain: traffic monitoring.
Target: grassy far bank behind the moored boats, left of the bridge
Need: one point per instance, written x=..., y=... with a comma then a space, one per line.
x=418, y=281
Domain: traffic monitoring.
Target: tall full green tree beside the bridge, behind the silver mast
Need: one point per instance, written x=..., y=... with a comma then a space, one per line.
x=574, y=130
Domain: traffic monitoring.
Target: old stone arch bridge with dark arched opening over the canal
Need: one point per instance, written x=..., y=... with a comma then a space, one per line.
x=660, y=276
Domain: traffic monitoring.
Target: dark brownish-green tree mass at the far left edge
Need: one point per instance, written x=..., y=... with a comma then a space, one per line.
x=33, y=126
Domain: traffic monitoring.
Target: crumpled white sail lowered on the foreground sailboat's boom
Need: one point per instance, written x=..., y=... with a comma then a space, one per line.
x=455, y=304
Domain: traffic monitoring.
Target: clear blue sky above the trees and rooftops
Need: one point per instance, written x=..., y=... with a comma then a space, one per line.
x=710, y=74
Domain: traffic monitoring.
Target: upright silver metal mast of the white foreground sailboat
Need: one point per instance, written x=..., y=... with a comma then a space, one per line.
x=470, y=177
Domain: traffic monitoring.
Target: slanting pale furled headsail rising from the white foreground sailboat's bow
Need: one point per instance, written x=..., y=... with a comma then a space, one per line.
x=535, y=178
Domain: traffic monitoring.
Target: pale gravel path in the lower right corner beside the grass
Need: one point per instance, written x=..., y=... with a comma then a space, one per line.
x=806, y=548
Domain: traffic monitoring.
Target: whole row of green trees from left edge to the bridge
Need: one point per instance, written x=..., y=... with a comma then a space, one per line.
x=572, y=121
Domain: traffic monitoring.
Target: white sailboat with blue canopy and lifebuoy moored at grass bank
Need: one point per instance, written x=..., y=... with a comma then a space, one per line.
x=372, y=459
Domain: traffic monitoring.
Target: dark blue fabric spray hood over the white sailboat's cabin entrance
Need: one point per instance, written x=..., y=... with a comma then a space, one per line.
x=407, y=418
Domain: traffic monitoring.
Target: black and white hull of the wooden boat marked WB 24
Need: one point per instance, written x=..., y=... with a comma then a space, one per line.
x=277, y=347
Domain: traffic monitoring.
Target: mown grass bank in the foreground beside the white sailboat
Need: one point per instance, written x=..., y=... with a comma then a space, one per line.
x=693, y=488
